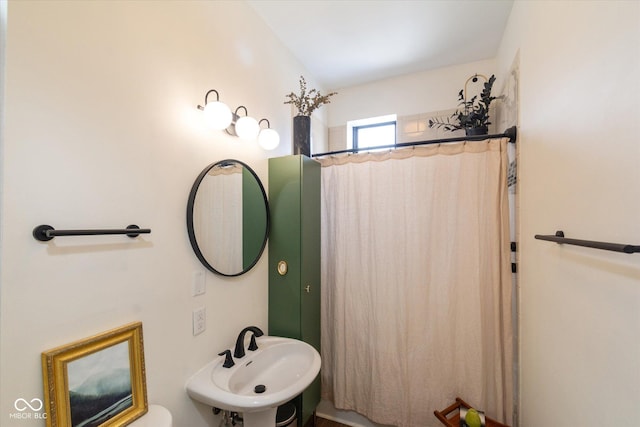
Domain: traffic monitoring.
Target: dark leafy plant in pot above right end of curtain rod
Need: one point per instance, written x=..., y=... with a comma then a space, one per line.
x=473, y=117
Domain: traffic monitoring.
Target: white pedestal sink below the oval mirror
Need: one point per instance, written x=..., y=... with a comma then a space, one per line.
x=279, y=370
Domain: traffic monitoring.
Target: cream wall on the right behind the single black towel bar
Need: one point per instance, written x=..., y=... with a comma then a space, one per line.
x=579, y=171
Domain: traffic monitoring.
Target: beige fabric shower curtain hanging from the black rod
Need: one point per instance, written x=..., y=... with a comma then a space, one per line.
x=416, y=282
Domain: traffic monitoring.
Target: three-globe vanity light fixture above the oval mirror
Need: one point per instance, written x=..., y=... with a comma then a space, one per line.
x=218, y=116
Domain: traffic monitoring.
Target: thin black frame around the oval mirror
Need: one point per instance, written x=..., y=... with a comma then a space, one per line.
x=191, y=203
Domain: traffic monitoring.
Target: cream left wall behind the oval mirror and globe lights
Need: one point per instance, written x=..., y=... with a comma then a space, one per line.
x=101, y=130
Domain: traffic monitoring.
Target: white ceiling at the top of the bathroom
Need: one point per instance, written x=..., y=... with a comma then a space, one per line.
x=350, y=42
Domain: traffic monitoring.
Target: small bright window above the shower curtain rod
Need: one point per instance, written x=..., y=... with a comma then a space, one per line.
x=373, y=132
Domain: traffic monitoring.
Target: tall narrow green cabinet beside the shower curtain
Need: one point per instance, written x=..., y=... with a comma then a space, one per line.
x=294, y=238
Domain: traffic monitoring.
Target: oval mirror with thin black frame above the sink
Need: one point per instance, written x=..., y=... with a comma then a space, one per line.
x=228, y=217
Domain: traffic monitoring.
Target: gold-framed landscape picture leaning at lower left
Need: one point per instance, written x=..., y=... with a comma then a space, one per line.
x=98, y=381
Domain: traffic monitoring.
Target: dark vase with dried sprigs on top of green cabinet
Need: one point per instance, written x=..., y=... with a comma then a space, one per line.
x=306, y=102
